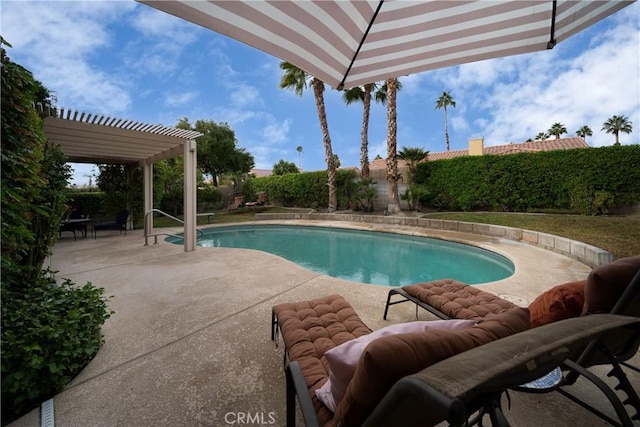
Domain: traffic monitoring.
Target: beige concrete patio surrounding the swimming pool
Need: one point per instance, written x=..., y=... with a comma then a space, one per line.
x=189, y=343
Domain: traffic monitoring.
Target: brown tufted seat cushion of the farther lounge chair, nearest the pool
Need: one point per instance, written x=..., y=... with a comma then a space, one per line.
x=458, y=300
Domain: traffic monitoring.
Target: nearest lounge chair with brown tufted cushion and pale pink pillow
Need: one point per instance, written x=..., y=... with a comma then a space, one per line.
x=420, y=378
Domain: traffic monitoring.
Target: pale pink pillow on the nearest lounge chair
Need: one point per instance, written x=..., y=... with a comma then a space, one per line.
x=344, y=358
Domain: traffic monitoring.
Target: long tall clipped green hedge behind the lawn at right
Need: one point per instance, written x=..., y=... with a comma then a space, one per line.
x=586, y=181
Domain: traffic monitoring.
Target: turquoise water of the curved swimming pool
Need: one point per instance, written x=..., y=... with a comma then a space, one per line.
x=362, y=256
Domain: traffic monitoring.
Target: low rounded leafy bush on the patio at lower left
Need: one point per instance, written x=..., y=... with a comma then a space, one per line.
x=49, y=333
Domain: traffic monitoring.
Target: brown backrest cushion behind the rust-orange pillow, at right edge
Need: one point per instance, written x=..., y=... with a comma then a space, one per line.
x=606, y=283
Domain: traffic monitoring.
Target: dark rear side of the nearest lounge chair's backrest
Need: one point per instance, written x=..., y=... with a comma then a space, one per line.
x=474, y=381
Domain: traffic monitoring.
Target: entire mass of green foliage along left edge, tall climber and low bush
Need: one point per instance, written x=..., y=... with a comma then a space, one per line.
x=48, y=331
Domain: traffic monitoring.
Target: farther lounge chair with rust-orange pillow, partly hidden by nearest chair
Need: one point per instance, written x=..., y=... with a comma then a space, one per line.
x=611, y=288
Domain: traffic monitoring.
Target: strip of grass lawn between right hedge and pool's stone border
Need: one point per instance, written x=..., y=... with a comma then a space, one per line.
x=618, y=235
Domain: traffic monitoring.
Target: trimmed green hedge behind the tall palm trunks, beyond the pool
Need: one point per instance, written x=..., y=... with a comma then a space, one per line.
x=308, y=190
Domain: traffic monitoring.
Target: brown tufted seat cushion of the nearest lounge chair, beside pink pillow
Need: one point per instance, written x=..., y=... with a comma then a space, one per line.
x=311, y=328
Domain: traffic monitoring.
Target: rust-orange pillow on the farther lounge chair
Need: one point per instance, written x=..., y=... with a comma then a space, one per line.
x=558, y=303
